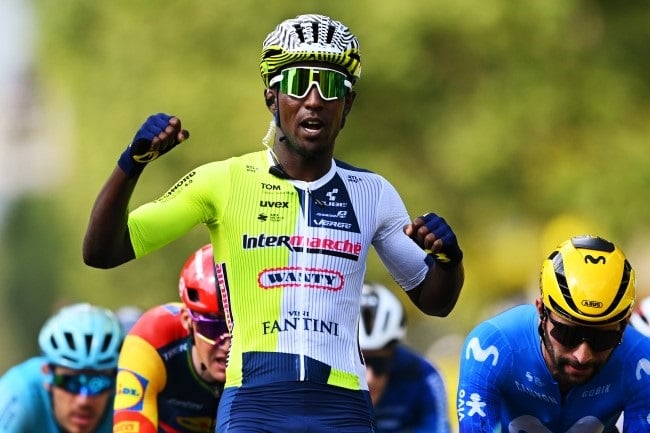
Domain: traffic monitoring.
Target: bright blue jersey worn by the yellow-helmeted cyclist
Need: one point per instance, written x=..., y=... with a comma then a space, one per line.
x=505, y=385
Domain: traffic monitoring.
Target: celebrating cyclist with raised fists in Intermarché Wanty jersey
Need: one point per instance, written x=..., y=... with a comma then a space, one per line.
x=291, y=229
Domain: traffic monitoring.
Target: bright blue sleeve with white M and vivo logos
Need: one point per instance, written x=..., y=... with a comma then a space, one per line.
x=484, y=356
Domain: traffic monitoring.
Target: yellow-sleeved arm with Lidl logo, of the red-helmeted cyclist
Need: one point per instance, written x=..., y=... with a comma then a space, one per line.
x=141, y=377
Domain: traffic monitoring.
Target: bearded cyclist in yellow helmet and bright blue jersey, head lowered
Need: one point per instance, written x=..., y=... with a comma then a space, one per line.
x=567, y=364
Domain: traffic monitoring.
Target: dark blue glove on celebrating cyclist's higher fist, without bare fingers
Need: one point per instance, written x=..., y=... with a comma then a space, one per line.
x=141, y=150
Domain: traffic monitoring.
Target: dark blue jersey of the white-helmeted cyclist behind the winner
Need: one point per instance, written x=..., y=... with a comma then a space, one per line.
x=415, y=399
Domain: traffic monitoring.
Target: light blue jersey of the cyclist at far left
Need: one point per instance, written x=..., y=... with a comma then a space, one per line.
x=25, y=404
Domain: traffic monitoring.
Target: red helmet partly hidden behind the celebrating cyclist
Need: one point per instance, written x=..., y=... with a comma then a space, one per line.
x=198, y=286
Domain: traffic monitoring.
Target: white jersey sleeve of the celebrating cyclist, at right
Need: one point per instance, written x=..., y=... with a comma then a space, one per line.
x=403, y=258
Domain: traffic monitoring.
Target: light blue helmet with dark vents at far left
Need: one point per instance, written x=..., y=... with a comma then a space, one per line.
x=82, y=336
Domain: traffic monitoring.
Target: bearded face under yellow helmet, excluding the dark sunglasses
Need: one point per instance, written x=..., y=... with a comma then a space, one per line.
x=572, y=365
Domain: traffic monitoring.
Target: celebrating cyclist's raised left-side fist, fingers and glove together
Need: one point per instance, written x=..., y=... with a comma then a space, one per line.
x=159, y=134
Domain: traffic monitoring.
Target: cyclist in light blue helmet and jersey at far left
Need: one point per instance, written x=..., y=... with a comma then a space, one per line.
x=70, y=387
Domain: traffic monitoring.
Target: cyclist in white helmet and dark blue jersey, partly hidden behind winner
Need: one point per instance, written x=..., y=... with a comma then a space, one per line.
x=407, y=391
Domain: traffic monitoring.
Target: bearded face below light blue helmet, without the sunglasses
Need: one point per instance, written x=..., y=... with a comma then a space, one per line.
x=78, y=413
